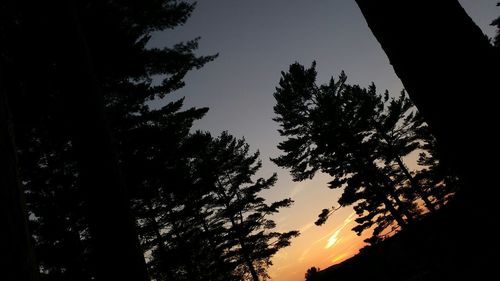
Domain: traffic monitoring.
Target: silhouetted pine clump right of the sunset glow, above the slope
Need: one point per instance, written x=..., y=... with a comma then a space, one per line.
x=359, y=138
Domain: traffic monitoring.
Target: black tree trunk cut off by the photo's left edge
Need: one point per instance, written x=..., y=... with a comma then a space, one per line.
x=16, y=252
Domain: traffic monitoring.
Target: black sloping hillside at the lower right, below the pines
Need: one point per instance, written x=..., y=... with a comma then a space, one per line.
x=440, y=247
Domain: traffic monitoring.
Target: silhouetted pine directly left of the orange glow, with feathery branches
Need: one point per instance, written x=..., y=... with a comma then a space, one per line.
x=244, y=213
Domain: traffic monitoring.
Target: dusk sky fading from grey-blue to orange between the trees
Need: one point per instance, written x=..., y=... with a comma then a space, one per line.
x=258, y=39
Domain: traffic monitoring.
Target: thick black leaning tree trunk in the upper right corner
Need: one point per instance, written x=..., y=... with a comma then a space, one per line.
x=447, y=65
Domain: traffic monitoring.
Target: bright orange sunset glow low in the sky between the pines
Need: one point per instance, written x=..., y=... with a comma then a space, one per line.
x=318, y=246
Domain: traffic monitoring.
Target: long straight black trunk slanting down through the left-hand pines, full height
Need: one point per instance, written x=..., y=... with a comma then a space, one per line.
x=111, y=223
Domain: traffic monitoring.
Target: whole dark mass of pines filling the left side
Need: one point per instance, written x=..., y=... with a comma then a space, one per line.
x=117, y=189
